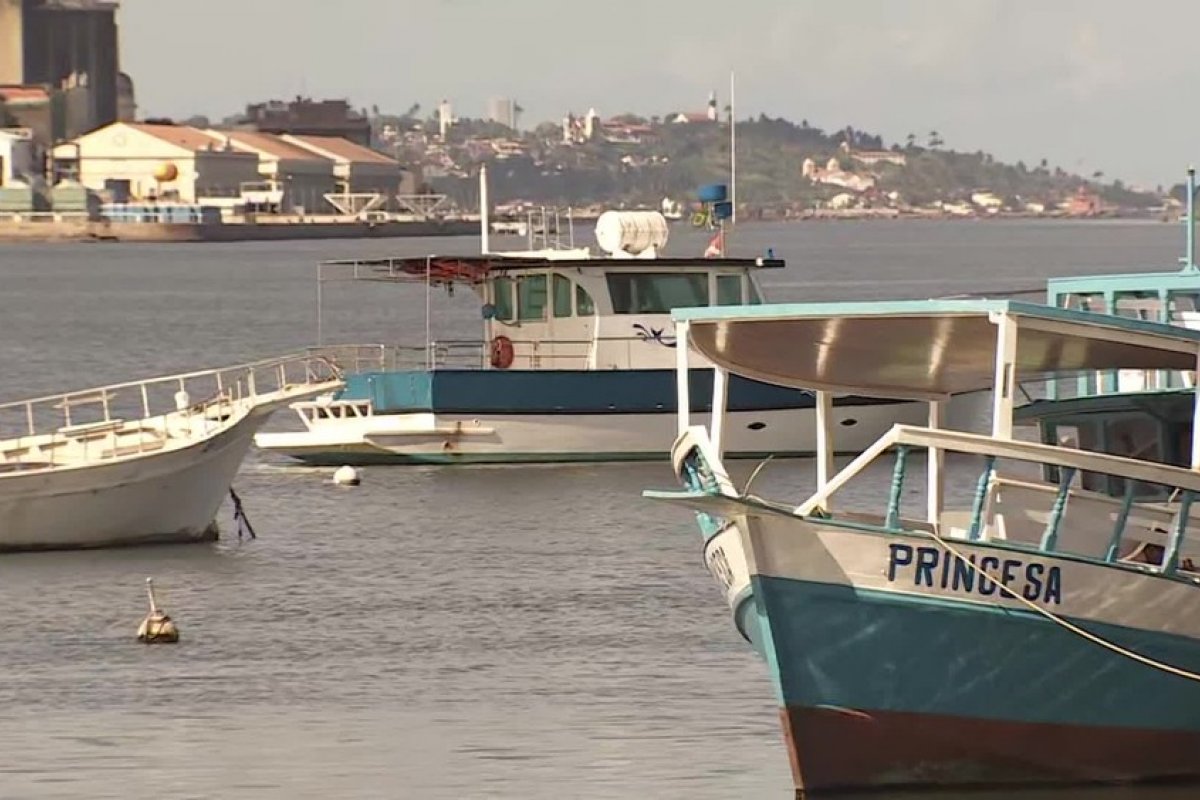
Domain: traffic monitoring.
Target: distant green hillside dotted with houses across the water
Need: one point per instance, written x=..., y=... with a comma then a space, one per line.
x=785, y=170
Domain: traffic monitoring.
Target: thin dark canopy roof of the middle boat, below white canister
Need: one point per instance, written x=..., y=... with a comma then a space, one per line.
x=477, y=269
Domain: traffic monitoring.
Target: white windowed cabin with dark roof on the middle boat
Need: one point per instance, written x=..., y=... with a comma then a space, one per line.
x=569, y=312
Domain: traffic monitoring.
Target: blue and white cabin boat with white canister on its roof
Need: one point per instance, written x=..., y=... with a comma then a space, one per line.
x=575, y=364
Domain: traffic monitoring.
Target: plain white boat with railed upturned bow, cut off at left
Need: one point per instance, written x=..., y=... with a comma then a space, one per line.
x=142, y=462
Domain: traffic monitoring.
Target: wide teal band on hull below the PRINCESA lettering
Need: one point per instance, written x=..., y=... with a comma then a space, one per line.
x=856, y=649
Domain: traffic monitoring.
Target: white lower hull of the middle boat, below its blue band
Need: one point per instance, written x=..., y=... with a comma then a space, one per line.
x=436, y=438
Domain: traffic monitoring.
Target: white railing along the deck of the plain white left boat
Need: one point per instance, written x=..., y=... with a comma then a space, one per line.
x=134, y=417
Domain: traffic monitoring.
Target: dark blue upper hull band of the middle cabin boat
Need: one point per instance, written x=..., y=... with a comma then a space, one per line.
x=566, y=392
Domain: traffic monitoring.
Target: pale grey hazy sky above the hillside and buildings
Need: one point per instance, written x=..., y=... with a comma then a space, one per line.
x=1089, y=85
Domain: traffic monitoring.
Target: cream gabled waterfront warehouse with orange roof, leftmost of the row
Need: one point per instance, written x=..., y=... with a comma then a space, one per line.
x=147, y=161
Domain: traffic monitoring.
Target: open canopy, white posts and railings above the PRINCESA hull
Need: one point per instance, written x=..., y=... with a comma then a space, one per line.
x=1101, y=507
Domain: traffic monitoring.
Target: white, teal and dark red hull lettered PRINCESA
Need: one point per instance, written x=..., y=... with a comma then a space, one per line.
x=896, y=671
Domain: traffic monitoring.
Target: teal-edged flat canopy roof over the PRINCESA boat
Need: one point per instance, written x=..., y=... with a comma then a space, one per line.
x=926, y=350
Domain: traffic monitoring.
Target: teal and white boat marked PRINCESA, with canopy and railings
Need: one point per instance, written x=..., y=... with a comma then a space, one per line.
x=1037, y=633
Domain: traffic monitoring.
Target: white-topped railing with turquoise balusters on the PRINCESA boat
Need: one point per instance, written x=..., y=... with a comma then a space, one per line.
x=1010, y=506
